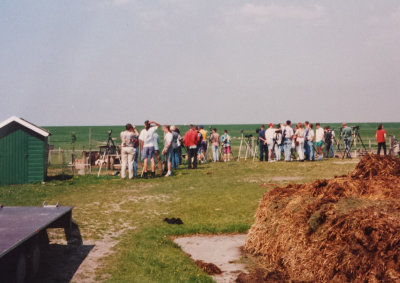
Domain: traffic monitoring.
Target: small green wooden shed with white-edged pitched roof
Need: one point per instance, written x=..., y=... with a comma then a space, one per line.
x=24, y=152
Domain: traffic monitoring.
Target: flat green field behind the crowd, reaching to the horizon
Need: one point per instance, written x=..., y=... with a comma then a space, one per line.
x=61, y=136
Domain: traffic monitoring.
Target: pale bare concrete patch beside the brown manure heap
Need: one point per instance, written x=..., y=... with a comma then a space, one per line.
x=219, y=252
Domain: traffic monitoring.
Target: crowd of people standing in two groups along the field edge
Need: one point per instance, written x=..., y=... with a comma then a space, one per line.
x=301, y=142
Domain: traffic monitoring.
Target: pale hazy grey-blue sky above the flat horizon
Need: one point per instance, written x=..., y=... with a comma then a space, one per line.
x=109, y=62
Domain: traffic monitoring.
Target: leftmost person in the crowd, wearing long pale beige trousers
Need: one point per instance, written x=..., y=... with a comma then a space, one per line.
x=127, y=150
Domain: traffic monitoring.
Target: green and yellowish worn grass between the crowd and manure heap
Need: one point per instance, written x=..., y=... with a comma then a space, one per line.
x=216, y=198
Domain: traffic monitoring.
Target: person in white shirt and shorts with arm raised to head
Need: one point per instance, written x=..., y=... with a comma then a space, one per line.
x=147, y=144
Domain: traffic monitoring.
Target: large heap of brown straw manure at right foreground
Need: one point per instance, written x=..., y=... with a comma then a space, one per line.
x=346, y=229
